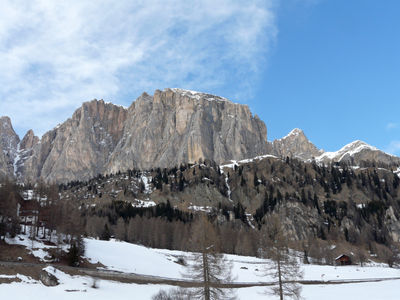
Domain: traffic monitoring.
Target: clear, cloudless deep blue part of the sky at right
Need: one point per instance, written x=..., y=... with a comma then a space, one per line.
x=335, y=73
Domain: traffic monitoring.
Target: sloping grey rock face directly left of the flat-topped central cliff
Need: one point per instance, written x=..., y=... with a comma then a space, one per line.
x=80, y=147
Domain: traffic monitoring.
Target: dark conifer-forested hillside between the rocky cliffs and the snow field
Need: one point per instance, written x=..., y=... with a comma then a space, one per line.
x=334, y=204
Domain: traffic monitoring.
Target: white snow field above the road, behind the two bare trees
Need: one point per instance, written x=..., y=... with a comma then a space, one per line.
x=126, y=257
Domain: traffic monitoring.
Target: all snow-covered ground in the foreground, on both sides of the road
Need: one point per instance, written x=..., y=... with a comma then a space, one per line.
x=130, y=258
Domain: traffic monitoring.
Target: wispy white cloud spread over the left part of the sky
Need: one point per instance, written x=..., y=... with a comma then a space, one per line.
x=56, y=54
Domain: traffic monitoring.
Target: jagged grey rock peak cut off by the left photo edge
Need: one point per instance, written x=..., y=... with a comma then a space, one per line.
x=9, y=142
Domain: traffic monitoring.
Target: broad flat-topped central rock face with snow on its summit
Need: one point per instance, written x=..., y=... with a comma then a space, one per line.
x=176, y=126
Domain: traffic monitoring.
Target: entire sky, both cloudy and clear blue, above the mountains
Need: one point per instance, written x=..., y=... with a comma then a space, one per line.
x=330, y=67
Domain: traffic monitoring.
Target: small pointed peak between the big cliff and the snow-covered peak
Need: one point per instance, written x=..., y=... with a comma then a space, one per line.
x=295, y=145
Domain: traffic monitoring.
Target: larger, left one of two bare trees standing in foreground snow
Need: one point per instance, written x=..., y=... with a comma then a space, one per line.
x=208, y=266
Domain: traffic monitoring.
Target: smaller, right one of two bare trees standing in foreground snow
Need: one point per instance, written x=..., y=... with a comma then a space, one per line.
x=285, y=267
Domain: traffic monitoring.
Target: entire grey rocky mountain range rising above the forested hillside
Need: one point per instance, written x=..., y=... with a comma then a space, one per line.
x=172, y=127
